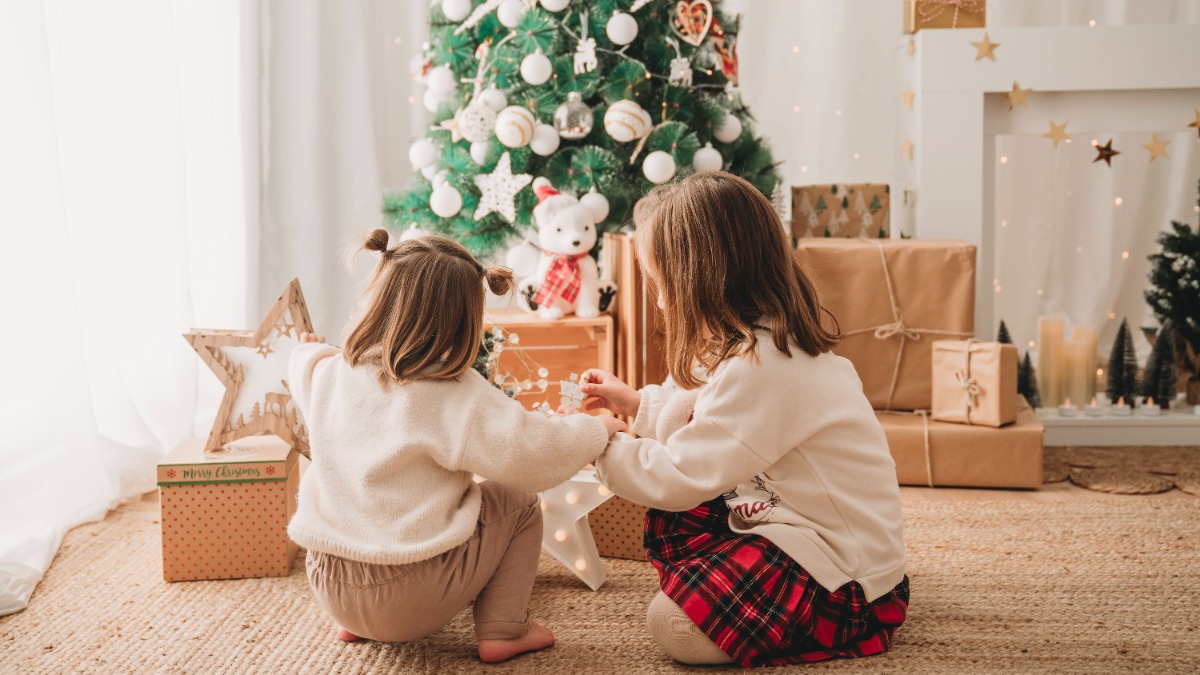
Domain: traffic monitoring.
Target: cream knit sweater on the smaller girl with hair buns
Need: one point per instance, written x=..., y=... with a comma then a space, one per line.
x=392, y=470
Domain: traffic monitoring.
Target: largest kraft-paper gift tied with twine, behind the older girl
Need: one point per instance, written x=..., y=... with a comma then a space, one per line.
x=892, y=300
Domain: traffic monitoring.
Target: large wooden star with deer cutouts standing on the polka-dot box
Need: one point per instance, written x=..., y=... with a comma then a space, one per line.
x=254, y=368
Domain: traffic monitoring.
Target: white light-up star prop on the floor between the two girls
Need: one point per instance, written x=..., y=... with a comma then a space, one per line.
x=566, y=533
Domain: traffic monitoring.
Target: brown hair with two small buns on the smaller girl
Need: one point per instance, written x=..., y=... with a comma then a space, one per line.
x=425, y=319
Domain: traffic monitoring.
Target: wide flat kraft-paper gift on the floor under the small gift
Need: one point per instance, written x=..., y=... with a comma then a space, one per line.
x=946, y=455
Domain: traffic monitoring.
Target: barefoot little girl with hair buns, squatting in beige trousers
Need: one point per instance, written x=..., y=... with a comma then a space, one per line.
x=400, y=536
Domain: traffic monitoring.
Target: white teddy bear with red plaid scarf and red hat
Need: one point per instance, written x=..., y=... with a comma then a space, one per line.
x=565, y=279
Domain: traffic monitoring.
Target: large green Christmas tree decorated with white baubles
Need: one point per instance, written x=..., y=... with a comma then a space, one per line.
x=603, y=98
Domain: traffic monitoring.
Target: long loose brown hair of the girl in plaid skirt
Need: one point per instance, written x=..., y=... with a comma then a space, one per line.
x=721, y=260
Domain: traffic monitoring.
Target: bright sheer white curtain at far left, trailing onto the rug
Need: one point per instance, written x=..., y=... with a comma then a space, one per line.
x=124, y=224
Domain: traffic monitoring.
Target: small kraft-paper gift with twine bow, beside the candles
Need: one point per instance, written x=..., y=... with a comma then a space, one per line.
x=975, y=383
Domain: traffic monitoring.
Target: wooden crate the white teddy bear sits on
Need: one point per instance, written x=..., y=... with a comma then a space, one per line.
x=561, y=347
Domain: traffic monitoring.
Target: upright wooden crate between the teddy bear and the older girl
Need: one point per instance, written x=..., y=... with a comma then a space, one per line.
x=640, y=336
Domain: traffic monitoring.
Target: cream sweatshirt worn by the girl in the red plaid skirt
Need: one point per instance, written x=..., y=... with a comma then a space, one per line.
x=796, y=451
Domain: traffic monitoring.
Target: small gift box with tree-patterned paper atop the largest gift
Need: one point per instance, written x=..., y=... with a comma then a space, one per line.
x=844, y=211
